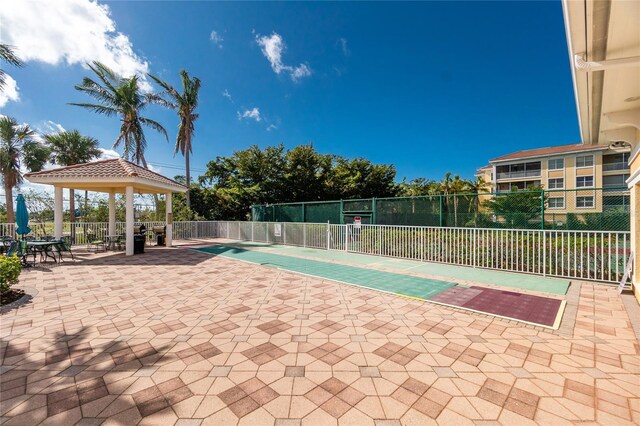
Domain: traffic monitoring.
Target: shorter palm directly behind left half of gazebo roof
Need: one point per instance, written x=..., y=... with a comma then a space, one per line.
x=67, y=149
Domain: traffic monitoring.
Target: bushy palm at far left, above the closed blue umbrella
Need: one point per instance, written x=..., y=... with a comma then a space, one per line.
x=18, y=148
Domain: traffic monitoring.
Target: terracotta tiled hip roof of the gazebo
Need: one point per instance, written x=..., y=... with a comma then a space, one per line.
x=105, y=172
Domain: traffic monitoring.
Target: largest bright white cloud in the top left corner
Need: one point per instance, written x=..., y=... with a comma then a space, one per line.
x=71, y=32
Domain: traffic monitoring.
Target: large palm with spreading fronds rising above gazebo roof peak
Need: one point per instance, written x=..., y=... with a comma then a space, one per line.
x=119, y=96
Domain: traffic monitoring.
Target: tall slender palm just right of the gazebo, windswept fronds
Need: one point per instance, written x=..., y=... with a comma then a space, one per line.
x=185, y=104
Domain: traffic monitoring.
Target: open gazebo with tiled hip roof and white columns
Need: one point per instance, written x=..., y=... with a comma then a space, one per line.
x=115, y=176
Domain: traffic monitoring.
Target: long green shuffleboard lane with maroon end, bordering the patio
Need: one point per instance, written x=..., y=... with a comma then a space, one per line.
x=536, y=310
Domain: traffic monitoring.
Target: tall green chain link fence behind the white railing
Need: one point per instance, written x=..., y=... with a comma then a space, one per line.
x=596, y=209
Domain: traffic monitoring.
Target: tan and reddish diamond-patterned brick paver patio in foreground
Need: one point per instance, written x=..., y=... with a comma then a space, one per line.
x=179, y=337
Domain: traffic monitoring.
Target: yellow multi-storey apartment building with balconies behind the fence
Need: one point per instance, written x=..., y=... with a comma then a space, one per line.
x=579, y=178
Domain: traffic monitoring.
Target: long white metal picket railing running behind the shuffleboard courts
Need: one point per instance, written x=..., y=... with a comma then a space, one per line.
x=589, y=255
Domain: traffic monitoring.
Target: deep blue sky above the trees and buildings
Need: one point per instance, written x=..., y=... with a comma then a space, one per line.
x=431, y=87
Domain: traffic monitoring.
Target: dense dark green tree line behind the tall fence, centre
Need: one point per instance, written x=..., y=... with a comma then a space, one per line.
x=275, y=174
